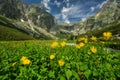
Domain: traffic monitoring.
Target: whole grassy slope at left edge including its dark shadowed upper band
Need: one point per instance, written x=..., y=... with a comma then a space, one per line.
x=9, y=32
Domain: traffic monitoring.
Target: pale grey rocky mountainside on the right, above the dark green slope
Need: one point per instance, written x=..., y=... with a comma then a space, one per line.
x=109, y=13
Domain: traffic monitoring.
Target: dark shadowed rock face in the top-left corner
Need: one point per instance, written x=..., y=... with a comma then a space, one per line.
x=10, y=8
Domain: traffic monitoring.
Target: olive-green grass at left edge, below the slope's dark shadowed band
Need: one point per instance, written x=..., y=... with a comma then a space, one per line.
x=7, y=33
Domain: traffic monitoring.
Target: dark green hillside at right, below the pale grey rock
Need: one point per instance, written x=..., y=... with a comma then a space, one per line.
x=114, y=28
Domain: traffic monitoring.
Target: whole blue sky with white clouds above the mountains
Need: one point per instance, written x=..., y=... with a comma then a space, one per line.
x=70, y=11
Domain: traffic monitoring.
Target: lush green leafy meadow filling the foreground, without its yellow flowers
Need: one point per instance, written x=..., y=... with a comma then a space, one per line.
x=80, y=64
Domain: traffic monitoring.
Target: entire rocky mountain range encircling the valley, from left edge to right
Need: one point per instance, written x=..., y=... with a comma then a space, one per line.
x=34, y=22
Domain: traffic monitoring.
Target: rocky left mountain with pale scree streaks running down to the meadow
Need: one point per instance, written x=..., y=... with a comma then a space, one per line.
x=31, y=19
